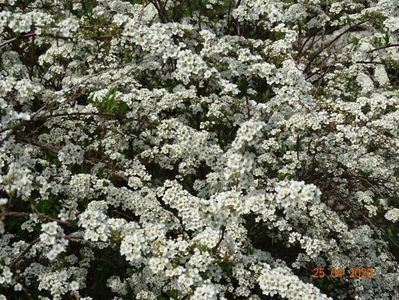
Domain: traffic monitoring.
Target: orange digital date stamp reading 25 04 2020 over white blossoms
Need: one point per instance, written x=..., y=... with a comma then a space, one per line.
x=339, y=272
